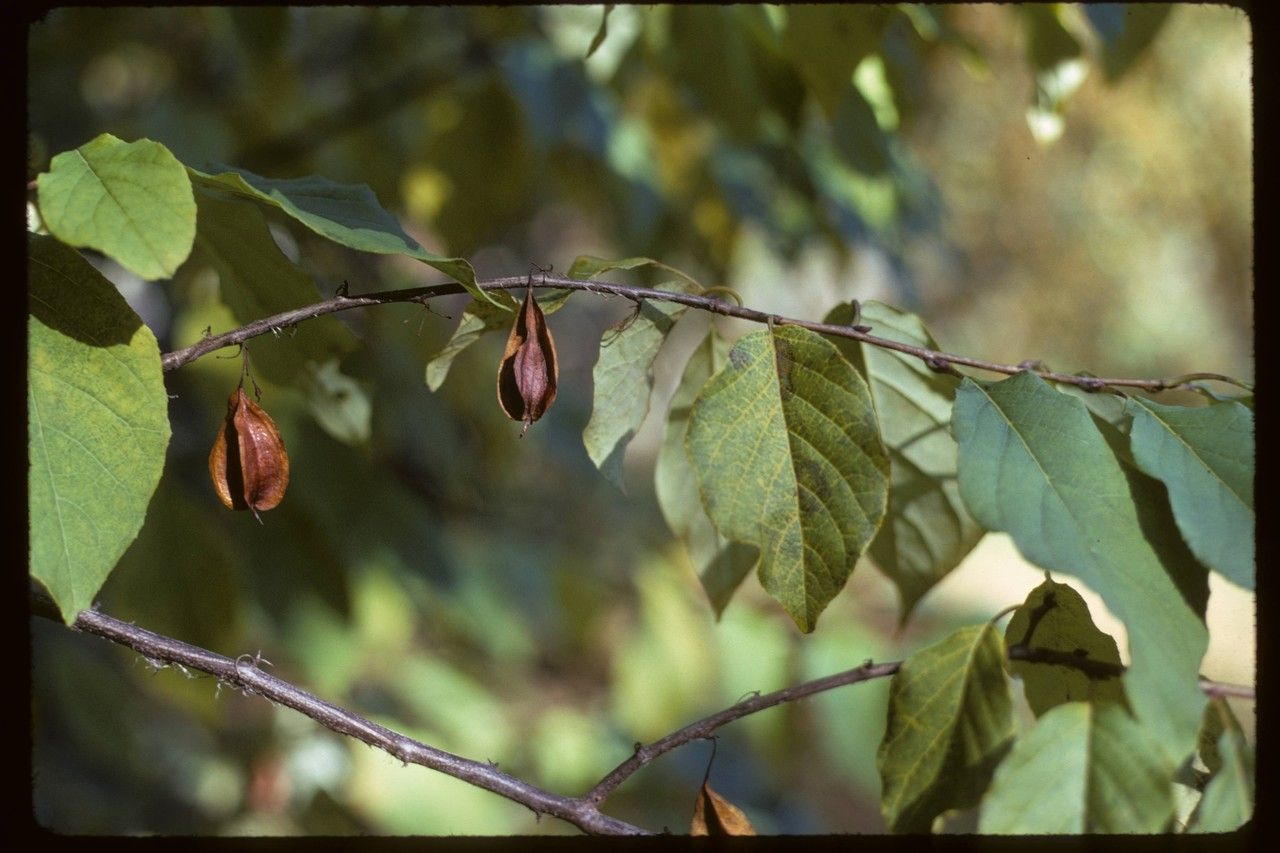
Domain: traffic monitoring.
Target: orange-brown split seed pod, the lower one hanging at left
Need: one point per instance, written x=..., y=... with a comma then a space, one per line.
x=249, y=464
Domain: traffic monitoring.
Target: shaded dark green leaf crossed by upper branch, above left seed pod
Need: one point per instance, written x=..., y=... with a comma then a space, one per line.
x=258, y=281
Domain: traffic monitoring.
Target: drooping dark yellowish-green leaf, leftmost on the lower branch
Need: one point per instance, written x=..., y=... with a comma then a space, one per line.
x=950, y=723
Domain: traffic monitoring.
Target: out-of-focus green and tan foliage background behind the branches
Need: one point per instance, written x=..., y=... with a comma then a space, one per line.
x=1063, y=184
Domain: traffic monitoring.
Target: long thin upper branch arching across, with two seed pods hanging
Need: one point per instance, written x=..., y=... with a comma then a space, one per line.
x=935, y=359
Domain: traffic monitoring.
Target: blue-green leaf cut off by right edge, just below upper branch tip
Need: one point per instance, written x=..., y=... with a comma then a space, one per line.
x=1205, y=458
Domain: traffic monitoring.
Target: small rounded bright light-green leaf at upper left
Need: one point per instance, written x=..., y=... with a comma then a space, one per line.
x=130, y=200
